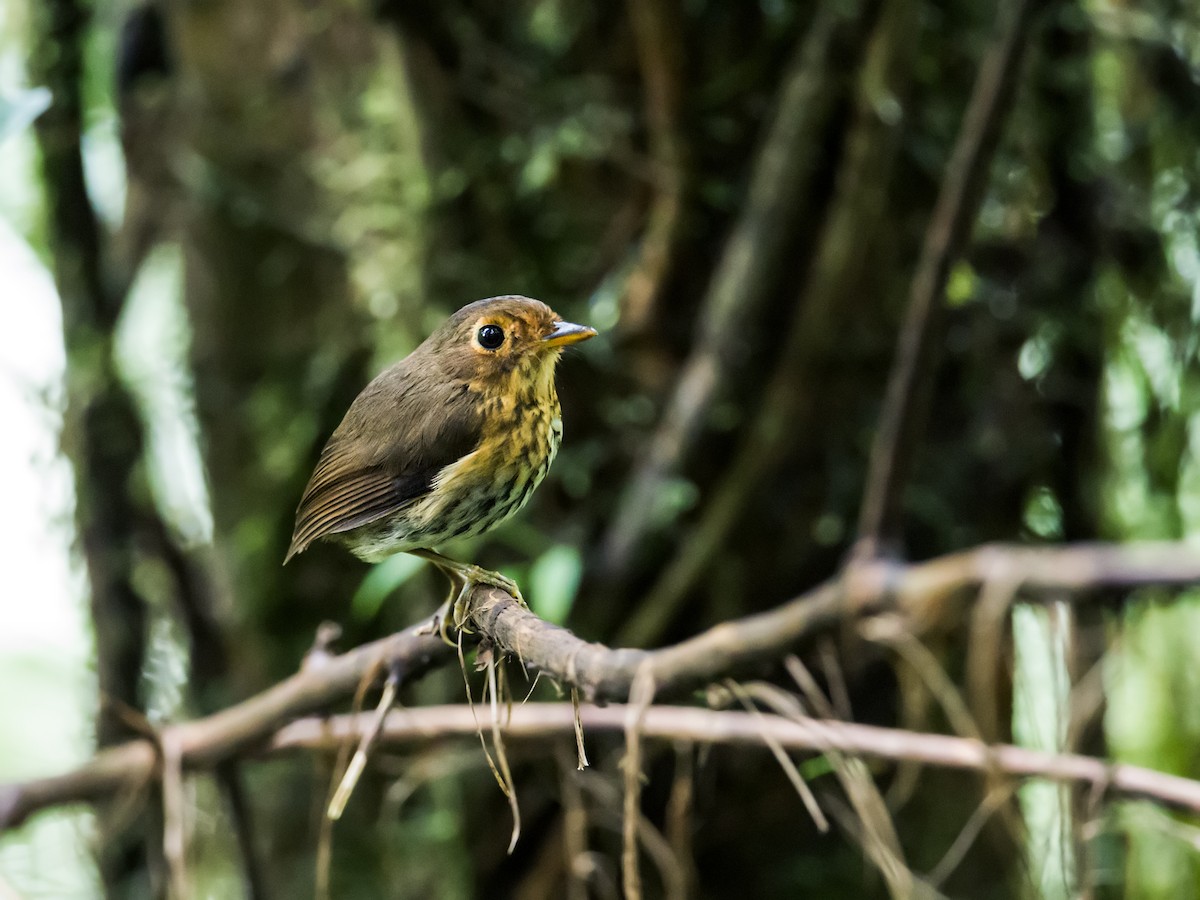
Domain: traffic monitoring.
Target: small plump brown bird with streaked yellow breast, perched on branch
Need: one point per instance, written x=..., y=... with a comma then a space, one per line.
x=447, y=443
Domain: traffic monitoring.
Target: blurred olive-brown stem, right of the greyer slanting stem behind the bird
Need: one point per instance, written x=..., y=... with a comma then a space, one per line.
x=832, y=292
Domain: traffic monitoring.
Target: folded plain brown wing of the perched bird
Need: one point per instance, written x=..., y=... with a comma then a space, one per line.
x=370, y=471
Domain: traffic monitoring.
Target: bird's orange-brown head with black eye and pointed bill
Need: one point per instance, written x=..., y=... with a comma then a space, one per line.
x=506, y=339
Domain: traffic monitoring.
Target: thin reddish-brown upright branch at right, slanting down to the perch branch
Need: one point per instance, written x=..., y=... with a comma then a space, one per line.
x=958, y=203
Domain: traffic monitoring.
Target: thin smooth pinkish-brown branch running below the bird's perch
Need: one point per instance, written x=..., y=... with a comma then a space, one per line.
x=536, y=722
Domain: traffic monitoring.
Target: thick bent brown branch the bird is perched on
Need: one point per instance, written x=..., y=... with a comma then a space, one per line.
x=932, y=595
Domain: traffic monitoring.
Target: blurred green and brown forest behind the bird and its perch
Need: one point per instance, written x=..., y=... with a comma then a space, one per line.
x=878, y=281
